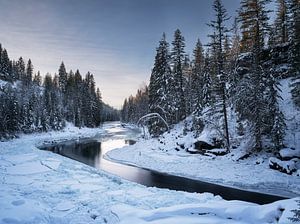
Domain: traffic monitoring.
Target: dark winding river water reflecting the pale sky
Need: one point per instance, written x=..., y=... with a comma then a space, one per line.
x=91, y=151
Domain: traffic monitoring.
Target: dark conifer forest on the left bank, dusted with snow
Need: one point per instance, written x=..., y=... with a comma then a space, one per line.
x=30, y=102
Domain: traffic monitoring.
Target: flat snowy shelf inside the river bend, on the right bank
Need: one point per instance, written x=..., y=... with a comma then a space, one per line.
x=224, y=170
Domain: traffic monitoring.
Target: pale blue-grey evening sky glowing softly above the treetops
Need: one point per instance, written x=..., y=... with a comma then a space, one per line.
x=115, y=40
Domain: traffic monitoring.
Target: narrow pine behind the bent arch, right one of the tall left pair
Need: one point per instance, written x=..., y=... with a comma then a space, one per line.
x=176, y=86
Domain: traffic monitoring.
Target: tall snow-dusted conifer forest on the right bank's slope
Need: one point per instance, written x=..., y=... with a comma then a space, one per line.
x=239, y=69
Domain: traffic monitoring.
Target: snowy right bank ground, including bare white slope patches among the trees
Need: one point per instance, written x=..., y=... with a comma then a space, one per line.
x=166, y=155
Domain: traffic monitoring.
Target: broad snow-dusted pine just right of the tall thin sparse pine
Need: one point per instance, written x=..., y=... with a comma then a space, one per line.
x=253, y=77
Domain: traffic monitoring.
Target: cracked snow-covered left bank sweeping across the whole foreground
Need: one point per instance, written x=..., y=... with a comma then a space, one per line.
x=43, y=187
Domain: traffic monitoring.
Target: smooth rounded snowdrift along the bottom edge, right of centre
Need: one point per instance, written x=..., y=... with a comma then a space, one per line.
x=208, y=212
